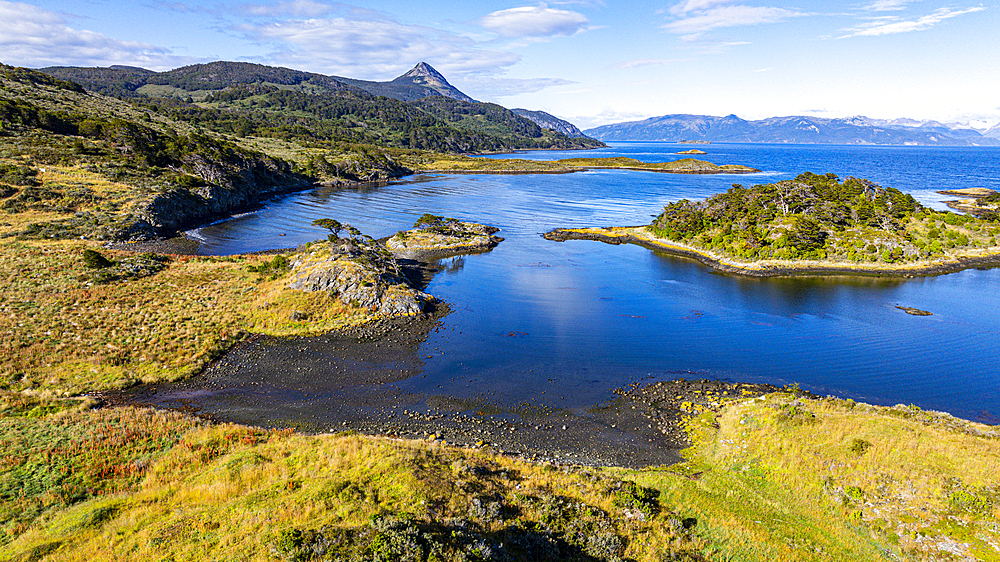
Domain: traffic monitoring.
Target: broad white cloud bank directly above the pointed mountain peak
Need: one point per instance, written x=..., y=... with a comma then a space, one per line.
x=371, y=49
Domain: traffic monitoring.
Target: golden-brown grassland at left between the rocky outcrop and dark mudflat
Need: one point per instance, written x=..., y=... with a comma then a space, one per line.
x=64, y=334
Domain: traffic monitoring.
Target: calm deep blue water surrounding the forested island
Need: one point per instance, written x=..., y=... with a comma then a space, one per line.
x=563, y=323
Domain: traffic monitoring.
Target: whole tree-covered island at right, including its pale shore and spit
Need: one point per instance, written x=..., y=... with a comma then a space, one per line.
x=814, y=224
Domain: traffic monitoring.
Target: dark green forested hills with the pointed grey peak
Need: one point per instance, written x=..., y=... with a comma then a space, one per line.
x=246, y=99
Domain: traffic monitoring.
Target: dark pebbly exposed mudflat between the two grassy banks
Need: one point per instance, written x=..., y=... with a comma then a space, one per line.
x=344, y=381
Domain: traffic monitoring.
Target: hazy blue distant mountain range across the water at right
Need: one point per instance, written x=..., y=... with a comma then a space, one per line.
x=795, y=129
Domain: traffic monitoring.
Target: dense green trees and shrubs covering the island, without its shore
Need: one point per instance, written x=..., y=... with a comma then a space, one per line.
x=820, y=217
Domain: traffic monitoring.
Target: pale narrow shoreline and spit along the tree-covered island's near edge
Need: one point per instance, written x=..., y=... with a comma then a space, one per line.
x=640, y=236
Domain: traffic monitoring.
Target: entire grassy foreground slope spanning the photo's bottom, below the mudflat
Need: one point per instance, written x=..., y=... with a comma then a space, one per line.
x=773, y=478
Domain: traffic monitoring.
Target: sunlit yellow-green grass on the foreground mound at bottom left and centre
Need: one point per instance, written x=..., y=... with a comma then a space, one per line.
x=228, y=492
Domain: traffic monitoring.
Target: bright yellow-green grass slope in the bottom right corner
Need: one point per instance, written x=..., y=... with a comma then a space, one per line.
x=776, y=479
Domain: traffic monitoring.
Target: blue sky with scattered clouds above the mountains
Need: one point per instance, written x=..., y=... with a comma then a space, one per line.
x=592, y=62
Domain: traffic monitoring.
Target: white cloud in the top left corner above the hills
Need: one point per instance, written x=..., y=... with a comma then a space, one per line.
x=33, y=36
